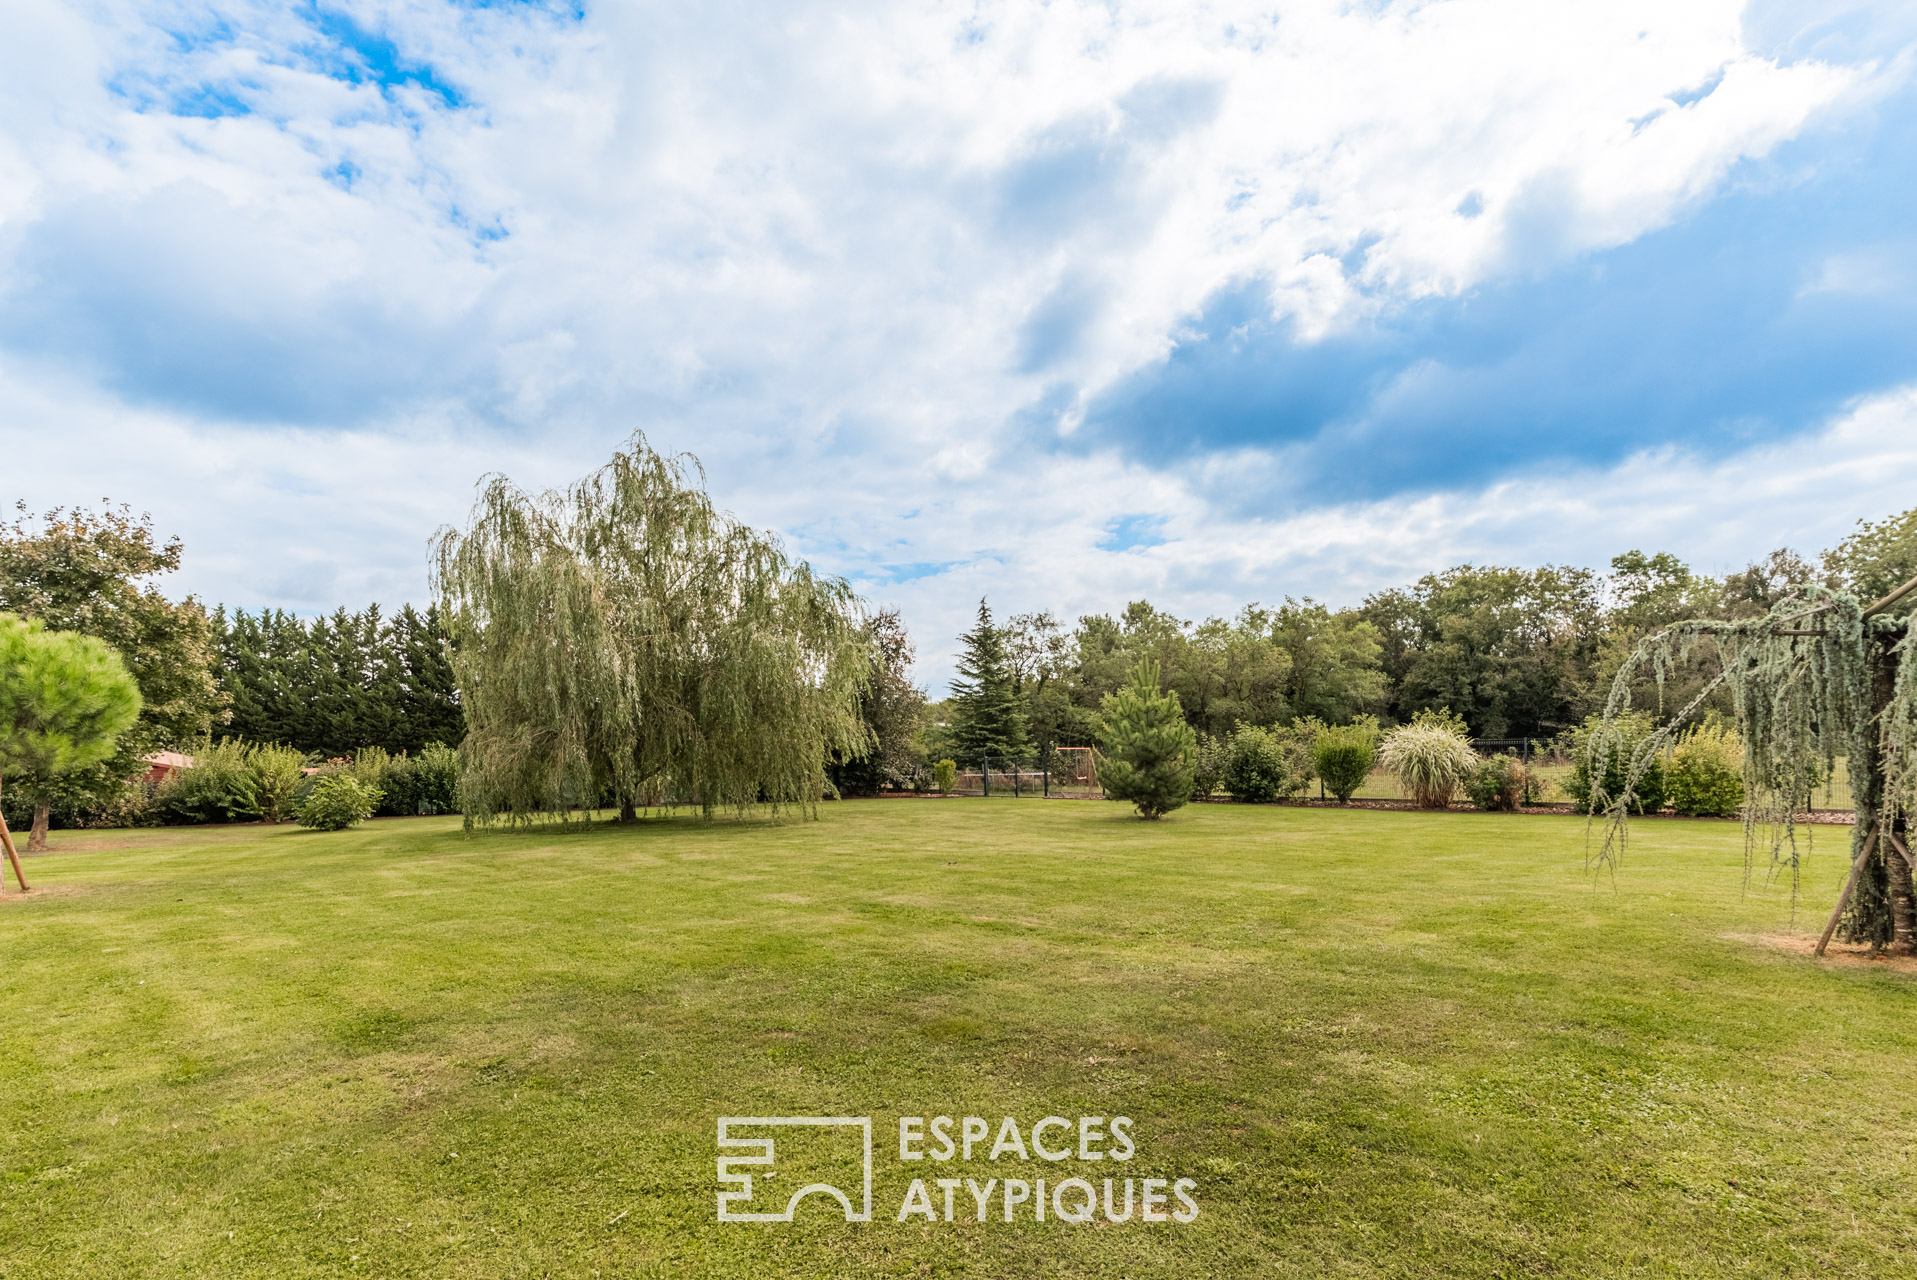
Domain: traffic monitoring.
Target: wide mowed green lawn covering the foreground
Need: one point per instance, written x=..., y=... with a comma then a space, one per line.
x=1383, y=1043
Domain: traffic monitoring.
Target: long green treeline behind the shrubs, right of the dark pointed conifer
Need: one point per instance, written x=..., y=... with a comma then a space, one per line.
x=1515, y=652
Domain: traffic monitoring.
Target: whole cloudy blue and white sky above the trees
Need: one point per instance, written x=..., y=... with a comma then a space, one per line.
x=1053, y=304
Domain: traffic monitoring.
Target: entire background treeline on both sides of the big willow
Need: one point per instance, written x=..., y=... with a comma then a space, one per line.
x=1513, y=652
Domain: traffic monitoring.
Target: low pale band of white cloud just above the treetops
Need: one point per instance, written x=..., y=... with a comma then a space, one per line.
x=312, y=520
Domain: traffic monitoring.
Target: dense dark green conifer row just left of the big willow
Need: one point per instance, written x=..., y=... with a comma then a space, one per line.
x=338, y=683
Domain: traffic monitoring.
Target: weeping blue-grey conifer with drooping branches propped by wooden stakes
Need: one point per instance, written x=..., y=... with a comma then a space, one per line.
x=1822, y=677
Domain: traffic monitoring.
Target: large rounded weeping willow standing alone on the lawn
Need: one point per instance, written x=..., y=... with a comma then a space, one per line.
x=626, y=643
